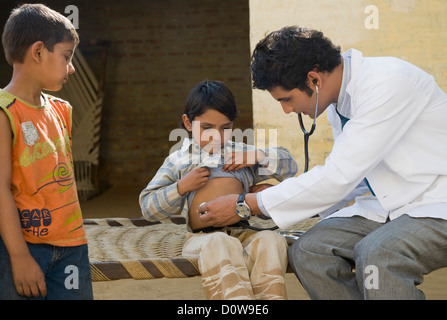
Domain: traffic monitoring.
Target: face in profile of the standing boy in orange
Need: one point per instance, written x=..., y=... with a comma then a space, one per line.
x=57, y=65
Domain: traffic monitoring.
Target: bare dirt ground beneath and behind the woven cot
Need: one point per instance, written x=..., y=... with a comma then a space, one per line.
x=123, y=202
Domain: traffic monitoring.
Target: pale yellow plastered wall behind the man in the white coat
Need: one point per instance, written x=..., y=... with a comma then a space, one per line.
x=414, y=30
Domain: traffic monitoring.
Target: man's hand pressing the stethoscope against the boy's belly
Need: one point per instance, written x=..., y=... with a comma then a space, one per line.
x=220, y=212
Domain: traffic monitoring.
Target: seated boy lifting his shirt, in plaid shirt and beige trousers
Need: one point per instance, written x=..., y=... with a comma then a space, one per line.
x=235, y=263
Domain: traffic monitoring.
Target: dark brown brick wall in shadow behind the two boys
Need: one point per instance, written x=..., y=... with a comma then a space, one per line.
x=159, y=49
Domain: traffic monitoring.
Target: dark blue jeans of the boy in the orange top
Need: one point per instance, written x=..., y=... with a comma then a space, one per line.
x=66, y=269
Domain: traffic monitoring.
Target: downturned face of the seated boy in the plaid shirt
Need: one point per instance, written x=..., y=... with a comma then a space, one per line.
x=211, y=129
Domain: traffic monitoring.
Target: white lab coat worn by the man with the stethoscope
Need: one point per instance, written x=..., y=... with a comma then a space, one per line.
x=396, y=137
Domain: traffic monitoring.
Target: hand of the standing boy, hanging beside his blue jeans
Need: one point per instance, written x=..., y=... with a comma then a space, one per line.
x=28, y=277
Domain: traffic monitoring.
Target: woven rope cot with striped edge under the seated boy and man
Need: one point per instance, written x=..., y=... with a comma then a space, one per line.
x=123, y=248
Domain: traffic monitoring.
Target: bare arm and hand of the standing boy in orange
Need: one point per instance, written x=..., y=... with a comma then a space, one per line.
x=28, y=277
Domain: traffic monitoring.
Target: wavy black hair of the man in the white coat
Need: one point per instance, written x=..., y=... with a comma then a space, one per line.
x=284, y=58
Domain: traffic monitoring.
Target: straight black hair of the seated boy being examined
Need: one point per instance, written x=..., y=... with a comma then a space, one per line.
x=210, y=95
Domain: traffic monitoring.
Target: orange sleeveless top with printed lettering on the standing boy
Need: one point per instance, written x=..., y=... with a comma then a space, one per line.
x=43, y=184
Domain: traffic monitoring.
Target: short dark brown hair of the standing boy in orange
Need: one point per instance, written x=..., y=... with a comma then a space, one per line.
x=30, y=23
